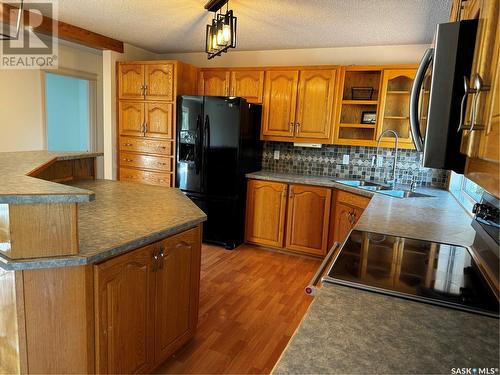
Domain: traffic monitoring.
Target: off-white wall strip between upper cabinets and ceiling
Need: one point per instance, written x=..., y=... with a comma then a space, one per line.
x=404, y=54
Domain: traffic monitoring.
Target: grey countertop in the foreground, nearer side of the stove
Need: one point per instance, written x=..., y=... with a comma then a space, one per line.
x=351, y=331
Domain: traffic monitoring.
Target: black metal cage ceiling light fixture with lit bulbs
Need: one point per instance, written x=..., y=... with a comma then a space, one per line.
x=221, y=33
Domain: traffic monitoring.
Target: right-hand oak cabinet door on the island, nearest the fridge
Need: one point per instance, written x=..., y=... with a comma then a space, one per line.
x=177, y=292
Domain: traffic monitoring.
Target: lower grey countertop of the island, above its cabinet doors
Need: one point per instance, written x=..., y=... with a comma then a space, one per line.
x=123, y=217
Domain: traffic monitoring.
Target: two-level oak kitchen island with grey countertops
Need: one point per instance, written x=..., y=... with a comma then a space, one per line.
x=120, y=295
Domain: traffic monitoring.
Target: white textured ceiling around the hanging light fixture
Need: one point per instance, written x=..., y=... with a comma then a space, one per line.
x=179, y=25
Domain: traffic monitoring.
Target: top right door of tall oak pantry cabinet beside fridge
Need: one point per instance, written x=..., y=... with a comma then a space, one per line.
x=160, y=82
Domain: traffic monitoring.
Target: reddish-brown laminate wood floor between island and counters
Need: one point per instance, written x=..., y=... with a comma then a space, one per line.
x=251, y=302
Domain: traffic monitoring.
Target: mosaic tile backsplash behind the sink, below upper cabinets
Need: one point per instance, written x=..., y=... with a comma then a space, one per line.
x=327, y=161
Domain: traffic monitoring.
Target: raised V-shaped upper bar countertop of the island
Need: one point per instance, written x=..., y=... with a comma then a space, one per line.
x=17, y=187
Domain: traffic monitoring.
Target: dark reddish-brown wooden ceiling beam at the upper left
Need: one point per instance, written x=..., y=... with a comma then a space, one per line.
x=65, y=31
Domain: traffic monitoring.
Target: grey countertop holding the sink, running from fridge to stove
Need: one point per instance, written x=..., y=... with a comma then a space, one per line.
x=439, y=218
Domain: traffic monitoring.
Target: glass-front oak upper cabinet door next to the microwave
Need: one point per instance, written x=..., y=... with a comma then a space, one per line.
x=395, y=99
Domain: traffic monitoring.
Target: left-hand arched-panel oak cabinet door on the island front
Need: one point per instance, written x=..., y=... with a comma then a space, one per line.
x=124, y=303
